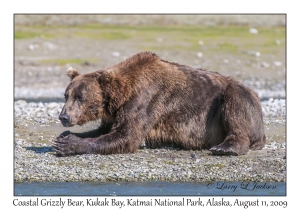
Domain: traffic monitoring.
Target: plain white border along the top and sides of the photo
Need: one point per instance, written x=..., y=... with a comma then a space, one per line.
x=254, y=6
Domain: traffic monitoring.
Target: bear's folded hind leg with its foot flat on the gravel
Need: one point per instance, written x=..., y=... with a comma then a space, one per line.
x=238, y=116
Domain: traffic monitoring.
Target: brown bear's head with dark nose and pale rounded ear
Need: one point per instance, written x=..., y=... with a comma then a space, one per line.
x=84, y=99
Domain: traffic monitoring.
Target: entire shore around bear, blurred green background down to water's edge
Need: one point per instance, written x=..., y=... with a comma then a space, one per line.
x=249, y=48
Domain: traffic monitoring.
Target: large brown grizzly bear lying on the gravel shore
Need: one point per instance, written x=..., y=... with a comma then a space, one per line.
x=145, y=98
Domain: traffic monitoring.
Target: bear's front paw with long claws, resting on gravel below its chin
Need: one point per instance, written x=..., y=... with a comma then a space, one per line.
x=67, y=145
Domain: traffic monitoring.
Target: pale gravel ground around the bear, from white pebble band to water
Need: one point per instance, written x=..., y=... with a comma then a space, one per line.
x=36, y=124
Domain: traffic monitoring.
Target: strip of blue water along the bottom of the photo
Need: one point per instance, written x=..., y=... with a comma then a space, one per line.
x=151, y=188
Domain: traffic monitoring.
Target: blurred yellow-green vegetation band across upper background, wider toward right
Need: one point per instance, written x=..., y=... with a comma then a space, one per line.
x=226, y=39
